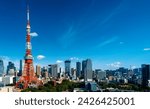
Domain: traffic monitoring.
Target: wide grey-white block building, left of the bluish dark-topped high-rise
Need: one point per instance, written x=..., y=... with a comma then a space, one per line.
x=53, y=70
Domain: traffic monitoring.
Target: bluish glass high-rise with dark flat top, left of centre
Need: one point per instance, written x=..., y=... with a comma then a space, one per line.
x=68, y=68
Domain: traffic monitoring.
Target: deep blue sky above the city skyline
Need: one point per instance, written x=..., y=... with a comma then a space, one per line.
x=112, y=33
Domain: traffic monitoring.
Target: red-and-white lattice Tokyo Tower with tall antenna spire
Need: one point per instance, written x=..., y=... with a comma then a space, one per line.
x=28, y=78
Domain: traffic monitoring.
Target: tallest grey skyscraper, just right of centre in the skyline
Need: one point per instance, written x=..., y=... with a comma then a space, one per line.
x=88, y=72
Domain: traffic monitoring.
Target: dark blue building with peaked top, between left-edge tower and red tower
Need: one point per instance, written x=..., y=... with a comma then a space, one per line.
x=11, y=69
